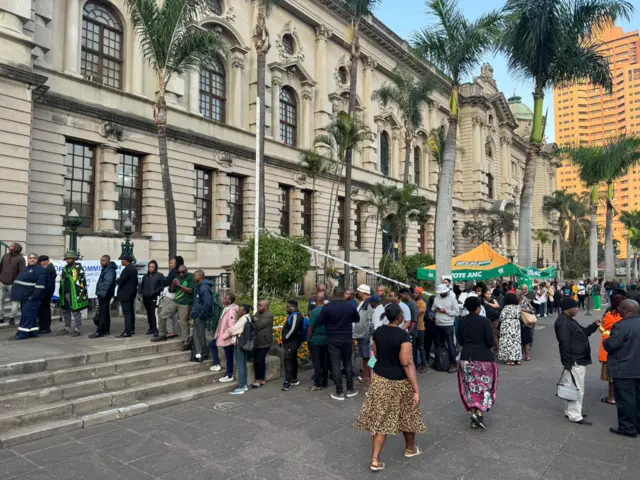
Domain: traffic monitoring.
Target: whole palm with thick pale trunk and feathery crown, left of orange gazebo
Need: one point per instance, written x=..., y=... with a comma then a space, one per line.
x=455, y=45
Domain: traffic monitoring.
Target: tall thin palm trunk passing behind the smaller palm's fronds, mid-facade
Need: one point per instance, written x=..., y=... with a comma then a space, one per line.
x=353, y=83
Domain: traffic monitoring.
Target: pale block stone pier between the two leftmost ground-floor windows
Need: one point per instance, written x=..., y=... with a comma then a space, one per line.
x=108, y=160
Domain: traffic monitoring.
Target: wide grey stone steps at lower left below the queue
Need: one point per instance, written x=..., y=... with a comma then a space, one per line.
x=39, y=398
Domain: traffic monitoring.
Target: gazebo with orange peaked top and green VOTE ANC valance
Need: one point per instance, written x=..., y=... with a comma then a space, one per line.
x=481, y=263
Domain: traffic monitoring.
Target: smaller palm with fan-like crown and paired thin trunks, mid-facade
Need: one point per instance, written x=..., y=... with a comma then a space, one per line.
x=344, y=133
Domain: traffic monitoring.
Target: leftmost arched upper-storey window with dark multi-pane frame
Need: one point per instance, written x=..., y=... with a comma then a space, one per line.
x=101, y=59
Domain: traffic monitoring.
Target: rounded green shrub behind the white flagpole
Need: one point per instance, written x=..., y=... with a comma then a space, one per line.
x=282, y=263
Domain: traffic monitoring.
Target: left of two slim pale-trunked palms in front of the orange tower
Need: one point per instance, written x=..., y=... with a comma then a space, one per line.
x=591, y=171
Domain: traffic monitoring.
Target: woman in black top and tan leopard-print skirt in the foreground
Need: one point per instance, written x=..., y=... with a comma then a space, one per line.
x=393, y=403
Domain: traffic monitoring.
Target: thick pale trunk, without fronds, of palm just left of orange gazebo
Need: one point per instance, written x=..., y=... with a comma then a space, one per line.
x=444, y=202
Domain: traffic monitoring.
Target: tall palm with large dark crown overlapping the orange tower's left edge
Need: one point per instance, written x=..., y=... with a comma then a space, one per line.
x=551, y=42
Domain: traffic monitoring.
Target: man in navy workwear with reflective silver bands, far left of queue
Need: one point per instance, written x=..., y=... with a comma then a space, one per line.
x=27, y=290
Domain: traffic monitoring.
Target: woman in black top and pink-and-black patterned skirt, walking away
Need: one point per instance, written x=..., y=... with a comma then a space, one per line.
x=477, y=370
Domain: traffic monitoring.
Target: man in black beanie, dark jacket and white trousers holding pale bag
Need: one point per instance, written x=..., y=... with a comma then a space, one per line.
x=575, y=354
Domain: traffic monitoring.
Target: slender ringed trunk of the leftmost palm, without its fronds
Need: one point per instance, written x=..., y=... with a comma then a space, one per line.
x=160, y=115
